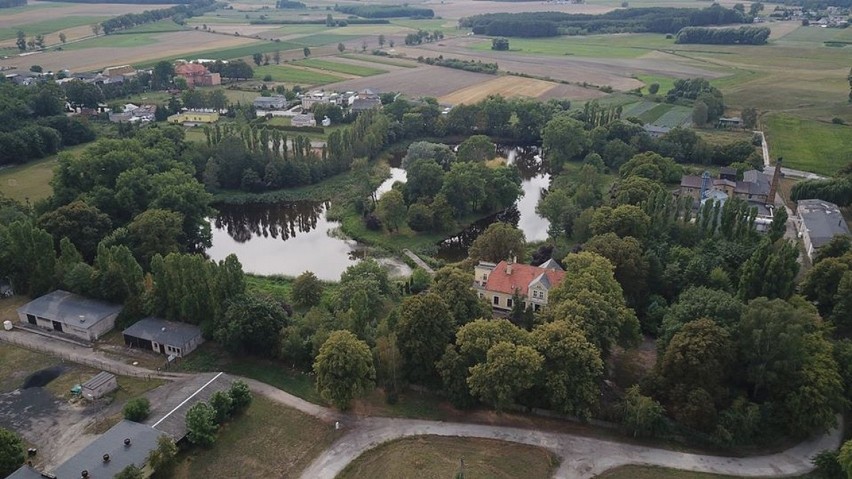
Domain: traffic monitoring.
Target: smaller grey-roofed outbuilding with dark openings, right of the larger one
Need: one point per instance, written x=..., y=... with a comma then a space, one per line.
x=165, y=337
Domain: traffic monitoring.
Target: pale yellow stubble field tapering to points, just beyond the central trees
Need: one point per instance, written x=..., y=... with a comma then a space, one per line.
x=512, y=86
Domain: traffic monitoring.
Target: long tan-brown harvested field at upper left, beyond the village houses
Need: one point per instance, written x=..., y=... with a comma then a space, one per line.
x=169, y=44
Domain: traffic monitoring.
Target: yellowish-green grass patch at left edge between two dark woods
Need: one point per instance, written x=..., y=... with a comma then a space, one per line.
x=32, y=180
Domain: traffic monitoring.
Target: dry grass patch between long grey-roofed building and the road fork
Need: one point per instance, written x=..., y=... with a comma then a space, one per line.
x=268, y=440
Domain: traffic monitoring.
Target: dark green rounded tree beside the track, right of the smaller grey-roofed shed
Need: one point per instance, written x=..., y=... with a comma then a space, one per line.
x=251, y=325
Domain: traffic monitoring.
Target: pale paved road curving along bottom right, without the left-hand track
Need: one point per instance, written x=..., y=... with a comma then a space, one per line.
x=582, y=457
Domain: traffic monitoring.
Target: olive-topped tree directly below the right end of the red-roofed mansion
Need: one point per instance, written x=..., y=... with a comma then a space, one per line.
x=572, y=368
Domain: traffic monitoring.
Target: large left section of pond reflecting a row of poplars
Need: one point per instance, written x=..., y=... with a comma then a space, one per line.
x=288, y=239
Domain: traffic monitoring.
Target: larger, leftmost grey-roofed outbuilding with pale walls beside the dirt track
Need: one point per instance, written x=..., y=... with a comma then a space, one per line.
x=71, y=314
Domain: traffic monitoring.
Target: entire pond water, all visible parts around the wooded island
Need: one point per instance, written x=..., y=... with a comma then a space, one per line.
x=290, y=238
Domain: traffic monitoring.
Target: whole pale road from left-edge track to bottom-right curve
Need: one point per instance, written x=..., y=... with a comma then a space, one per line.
x=582, y=457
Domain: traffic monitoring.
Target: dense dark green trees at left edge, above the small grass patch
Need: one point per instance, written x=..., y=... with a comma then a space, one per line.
x=34, y=124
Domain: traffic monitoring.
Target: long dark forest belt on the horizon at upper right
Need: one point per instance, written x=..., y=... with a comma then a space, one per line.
x=631, y=20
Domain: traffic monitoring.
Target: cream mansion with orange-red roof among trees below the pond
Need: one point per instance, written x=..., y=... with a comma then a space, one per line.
x=498, y=283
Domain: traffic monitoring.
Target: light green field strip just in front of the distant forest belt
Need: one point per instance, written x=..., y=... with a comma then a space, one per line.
x=597, y=46
